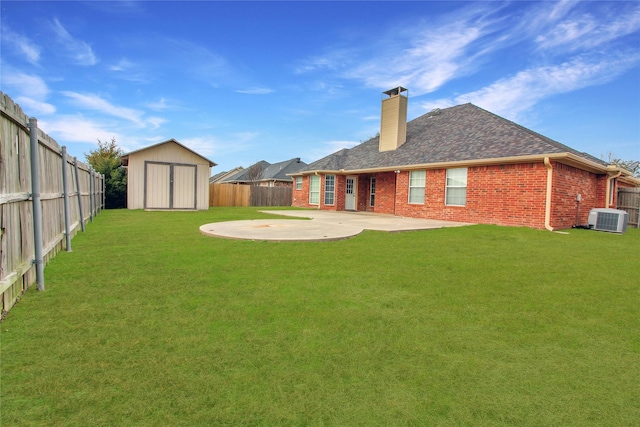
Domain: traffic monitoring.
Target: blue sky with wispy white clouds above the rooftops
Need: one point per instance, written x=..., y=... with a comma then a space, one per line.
x=240, y=82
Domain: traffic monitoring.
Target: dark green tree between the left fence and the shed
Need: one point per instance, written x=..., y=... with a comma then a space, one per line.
x=106, y=160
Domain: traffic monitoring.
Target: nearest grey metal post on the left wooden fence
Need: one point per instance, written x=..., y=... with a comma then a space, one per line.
x=37, y=205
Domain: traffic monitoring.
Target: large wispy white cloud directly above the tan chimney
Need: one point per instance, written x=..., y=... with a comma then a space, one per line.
x=422, y=56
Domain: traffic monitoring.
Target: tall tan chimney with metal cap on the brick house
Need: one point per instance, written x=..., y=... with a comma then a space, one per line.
x=393, y=120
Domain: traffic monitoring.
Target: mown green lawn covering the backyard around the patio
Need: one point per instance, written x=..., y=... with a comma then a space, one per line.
x=147, y=322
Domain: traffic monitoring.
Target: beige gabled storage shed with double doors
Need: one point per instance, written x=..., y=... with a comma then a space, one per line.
x=167, y=176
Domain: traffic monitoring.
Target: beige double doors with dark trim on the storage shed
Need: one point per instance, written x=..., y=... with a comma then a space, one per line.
x=170, y=186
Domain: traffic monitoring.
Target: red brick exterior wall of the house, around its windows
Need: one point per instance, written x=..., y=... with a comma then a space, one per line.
x=513, y=195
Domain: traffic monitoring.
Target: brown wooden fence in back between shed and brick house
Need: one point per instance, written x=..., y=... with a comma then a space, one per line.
x=248, y=195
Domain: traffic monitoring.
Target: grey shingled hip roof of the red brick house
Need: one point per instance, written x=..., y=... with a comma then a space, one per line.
x=464, y=134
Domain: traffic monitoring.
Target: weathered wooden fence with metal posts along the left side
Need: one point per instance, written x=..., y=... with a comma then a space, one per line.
x=45, y=197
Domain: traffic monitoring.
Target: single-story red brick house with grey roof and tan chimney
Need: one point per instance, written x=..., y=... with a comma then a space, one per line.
x=461, y=164
